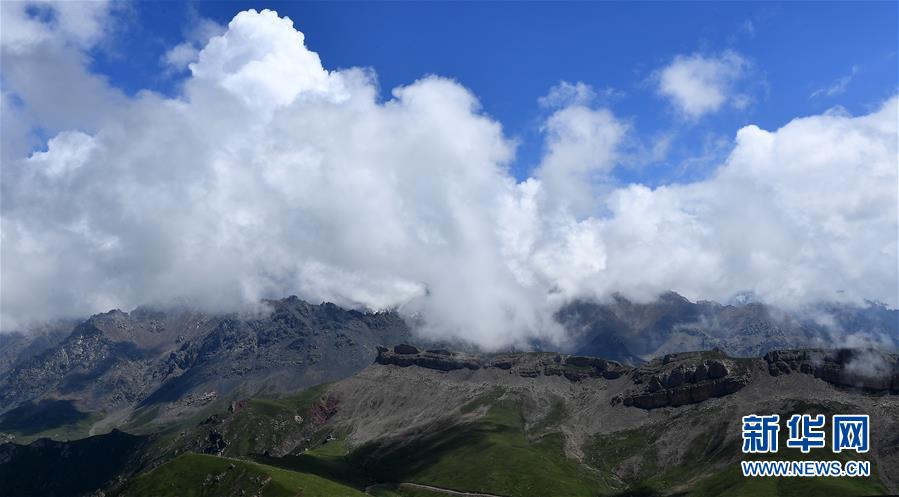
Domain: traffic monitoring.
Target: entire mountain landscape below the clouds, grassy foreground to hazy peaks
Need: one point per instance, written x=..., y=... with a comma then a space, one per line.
x=645, y=399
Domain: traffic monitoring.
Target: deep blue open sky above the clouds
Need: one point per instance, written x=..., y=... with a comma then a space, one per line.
x=509, y=54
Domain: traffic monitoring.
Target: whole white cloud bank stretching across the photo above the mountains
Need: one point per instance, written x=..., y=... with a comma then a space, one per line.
x=271, y=175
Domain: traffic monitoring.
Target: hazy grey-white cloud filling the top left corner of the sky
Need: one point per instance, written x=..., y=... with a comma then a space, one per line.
x=45, y=78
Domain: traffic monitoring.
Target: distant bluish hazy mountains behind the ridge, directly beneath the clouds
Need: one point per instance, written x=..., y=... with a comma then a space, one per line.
x=108, y=369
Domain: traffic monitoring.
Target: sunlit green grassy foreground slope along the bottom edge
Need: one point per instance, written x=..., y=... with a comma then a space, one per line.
x=495, y=455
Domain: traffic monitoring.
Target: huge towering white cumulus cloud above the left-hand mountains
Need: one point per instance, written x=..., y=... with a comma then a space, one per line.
x=271, y=175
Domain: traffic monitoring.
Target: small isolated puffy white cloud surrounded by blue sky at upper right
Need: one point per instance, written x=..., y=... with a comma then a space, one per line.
x=698, y=85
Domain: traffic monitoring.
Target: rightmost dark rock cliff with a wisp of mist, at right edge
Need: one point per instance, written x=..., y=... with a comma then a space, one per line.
x=866, y=369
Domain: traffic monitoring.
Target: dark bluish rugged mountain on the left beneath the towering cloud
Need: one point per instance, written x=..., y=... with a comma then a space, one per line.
x=182, y=358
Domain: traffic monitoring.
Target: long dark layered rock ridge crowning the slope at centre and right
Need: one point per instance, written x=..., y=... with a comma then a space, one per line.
x=673, y=379
